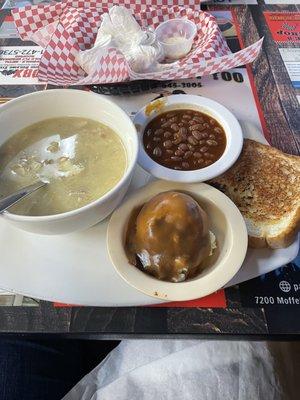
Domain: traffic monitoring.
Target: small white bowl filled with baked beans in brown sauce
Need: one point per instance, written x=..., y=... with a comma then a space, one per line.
x=187, y=138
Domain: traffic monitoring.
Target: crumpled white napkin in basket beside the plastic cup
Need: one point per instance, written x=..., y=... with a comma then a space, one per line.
x=119, y=29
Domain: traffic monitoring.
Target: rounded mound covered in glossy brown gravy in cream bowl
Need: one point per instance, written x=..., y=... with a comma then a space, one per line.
x=168, y=237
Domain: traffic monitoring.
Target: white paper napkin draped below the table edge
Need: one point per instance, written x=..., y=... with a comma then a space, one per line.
x=182, y=370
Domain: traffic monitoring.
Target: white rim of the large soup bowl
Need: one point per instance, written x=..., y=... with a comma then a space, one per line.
x=29, y=218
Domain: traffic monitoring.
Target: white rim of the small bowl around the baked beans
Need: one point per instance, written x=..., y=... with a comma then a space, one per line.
x=231, y=126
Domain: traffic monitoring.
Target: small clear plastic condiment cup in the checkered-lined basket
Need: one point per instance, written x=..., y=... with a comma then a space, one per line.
x=176, y=37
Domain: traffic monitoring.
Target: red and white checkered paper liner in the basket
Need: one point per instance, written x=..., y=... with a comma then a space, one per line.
x=63, y=29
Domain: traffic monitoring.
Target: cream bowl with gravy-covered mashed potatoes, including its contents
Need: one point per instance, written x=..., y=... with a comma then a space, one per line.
x=177, y=241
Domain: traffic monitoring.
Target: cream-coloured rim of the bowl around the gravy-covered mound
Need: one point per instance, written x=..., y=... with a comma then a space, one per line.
x=211, y=281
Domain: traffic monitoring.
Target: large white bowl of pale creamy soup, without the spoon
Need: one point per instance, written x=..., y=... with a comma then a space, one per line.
x=81, y=143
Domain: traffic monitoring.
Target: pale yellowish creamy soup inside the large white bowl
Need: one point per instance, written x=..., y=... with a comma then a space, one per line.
x=81, y=159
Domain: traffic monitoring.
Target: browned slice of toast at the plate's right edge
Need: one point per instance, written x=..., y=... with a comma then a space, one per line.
x=264, y=183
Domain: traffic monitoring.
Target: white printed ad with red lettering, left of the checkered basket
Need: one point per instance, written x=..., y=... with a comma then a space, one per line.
x=19, y=64
